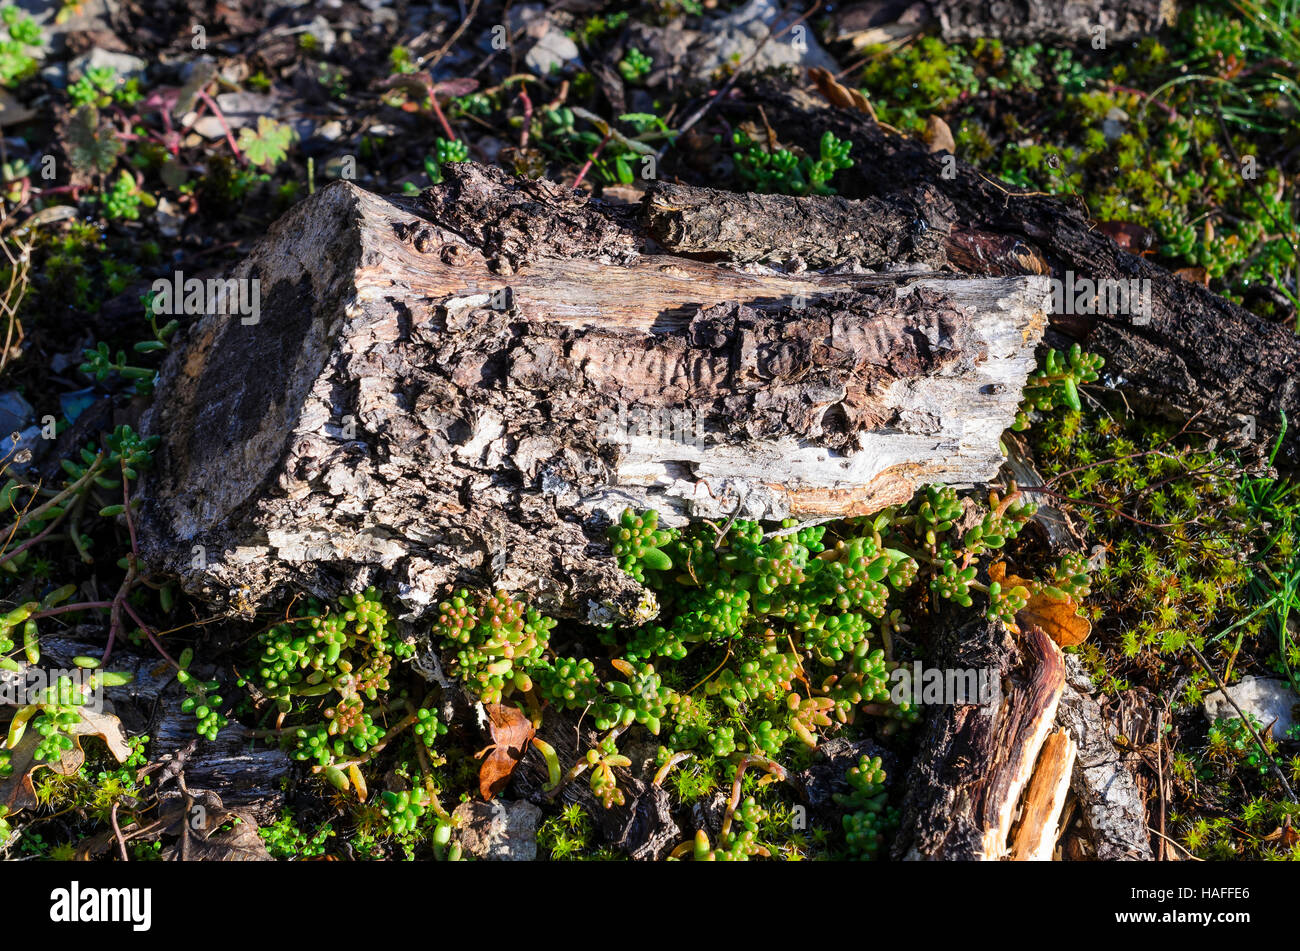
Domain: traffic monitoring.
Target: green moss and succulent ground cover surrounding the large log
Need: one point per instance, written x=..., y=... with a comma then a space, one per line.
x=770, y=640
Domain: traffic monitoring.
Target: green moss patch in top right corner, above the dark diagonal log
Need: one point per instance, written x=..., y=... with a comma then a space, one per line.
x=1185, y=137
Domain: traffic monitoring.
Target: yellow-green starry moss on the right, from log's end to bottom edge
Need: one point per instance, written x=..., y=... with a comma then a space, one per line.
x=1197, y=549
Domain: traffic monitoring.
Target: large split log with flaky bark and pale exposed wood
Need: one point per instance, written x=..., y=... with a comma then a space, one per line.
x=467, y=387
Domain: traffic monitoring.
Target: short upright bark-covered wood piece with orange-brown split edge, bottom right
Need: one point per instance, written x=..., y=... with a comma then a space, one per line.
x=974, y=761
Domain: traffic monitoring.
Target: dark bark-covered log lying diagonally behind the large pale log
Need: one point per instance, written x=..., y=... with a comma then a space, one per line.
x=1190, y=351
